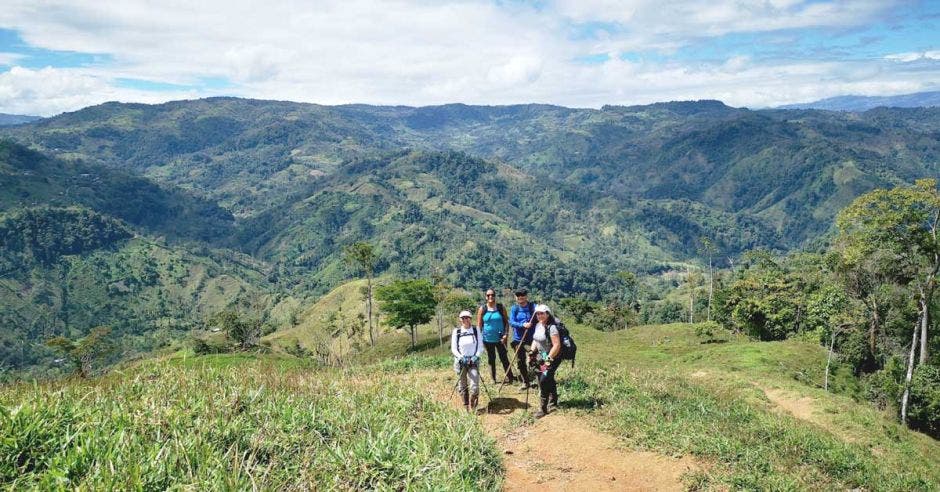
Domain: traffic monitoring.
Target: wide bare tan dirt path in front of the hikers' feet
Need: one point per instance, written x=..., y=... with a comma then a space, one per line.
x=562, y=451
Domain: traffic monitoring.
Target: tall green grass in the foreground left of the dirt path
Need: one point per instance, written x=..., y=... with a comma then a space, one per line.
x=252, y=425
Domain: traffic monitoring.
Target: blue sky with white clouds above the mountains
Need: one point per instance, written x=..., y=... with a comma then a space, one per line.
x=58, y=56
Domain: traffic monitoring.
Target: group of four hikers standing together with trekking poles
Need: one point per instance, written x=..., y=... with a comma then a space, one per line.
x=539, y=344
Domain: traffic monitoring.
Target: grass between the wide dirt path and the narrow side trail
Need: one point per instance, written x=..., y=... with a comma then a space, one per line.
x=744, y=445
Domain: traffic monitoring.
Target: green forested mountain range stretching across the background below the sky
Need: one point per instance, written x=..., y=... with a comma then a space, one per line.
x=266, y=194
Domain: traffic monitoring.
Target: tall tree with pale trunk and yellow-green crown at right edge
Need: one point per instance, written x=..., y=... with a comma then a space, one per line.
x=902, y=221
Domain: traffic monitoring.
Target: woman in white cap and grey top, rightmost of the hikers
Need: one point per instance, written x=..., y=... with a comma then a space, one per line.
x=546, y=357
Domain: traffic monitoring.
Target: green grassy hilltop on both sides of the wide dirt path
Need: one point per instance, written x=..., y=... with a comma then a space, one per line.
x=751, y=413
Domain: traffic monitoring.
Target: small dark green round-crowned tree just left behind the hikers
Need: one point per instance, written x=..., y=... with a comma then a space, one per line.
x=407, y=304
